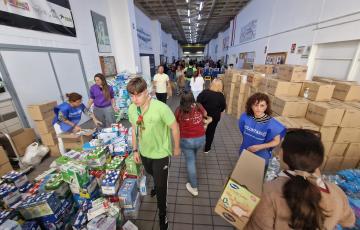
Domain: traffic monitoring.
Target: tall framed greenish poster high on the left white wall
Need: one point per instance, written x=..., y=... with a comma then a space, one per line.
x=101, y=33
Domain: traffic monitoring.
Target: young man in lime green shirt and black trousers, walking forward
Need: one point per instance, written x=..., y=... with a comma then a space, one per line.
x=152, y=122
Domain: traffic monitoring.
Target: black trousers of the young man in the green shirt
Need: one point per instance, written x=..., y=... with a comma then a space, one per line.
x=158, y=169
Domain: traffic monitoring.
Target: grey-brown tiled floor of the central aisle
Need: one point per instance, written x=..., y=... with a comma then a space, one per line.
x=184, y=211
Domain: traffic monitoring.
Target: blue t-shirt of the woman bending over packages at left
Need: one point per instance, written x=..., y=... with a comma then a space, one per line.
x=72, y=114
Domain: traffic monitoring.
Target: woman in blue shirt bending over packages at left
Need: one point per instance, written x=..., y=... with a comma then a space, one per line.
x=68, y=115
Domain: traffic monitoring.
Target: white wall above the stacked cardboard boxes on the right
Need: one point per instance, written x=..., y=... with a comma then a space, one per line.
x=281, y=23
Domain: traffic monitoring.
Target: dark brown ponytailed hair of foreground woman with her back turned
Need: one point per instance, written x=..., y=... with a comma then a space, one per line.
x=303, y=150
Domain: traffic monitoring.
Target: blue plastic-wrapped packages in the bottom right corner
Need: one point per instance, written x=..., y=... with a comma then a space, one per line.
x=349, y=181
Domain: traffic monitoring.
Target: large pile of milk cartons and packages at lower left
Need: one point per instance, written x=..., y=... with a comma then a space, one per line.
x=97, y=187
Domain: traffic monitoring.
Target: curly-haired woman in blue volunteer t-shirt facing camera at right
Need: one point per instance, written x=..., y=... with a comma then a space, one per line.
x=261, y=132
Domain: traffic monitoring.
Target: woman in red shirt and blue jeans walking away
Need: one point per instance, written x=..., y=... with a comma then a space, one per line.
x=190, y=116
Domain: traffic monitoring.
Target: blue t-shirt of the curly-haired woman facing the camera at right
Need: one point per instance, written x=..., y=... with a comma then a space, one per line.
x=255, y=133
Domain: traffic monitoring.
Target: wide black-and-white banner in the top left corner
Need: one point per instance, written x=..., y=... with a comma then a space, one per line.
x=53, y=16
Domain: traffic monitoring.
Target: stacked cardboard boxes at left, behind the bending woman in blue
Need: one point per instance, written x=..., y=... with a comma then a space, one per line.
x=43, y=115
